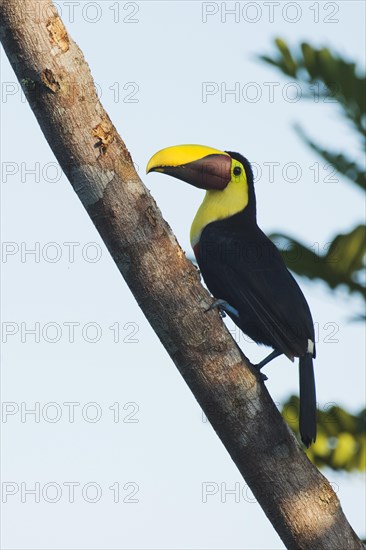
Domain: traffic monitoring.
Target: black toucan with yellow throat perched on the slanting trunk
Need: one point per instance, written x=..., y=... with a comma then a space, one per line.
x=241, y=266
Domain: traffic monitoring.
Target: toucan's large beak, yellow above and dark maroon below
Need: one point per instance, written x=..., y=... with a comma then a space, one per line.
x=197, y=165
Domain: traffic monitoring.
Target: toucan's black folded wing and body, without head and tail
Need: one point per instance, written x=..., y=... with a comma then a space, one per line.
x=247, y=271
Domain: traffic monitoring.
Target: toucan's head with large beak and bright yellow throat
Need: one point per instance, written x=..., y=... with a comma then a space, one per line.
x=226, y=176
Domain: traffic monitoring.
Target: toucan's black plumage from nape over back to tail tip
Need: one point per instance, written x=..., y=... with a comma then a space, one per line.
x=242, y=266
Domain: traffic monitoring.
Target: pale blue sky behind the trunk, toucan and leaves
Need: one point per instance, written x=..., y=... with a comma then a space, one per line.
x=162, y=59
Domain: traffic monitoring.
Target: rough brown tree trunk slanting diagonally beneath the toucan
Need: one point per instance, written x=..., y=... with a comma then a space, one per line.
x=56, y=80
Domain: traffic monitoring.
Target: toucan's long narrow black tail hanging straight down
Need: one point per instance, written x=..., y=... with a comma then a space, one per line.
x=307, y=400
